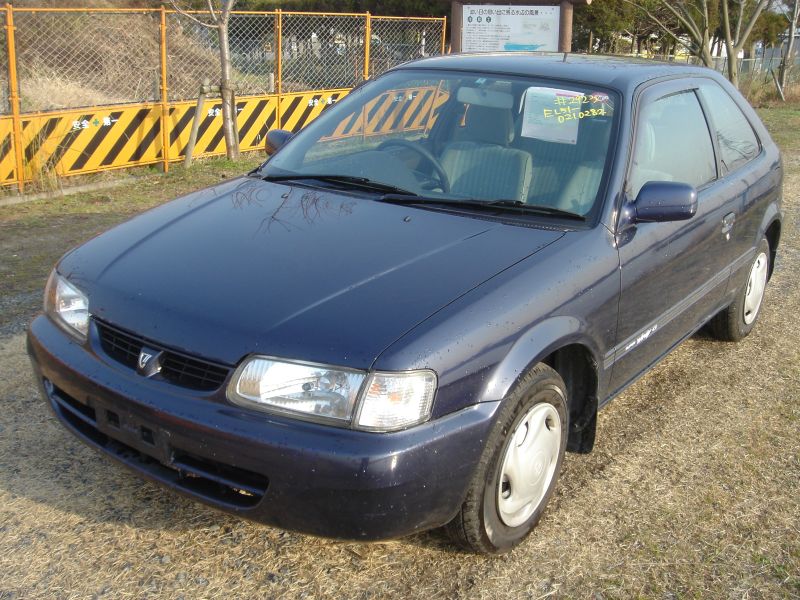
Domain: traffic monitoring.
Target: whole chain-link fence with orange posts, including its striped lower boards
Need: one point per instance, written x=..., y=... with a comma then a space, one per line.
x=85, y=90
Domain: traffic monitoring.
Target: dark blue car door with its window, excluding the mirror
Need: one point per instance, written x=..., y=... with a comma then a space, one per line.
x=673, y=274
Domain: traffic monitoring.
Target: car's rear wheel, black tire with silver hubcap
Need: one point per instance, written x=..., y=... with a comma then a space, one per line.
x=736, y=321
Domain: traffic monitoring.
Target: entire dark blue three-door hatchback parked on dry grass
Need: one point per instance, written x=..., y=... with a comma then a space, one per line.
x=408, y=314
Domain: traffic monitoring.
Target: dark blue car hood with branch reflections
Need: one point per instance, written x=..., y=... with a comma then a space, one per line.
x=249, y=266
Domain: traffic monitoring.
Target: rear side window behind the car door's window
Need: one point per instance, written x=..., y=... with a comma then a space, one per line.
x=737, y=142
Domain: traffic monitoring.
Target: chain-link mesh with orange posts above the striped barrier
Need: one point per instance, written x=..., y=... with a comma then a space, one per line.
x=68, y=58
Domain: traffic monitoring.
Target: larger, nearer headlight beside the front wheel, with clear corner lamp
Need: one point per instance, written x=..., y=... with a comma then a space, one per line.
x=387, y=402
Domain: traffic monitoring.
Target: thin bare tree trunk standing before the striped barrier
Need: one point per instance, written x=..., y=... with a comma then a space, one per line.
x=218, y=19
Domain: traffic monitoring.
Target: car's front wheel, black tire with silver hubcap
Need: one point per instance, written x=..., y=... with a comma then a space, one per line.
x=519, y=467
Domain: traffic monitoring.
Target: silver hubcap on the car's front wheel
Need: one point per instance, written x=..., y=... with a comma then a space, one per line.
x=529, y=464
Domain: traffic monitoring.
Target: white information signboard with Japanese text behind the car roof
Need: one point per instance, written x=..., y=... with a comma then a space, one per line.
x=493, y=28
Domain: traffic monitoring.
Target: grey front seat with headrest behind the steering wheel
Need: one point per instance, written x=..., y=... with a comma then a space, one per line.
x=480, y=163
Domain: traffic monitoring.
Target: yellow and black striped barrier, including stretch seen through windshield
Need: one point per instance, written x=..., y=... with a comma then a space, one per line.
x=81, y=141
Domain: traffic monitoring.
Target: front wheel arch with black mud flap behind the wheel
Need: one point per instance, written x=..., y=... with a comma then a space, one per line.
x=562, y=344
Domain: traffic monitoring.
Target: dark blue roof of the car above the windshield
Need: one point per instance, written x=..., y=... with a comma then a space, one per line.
x=621, y=73
